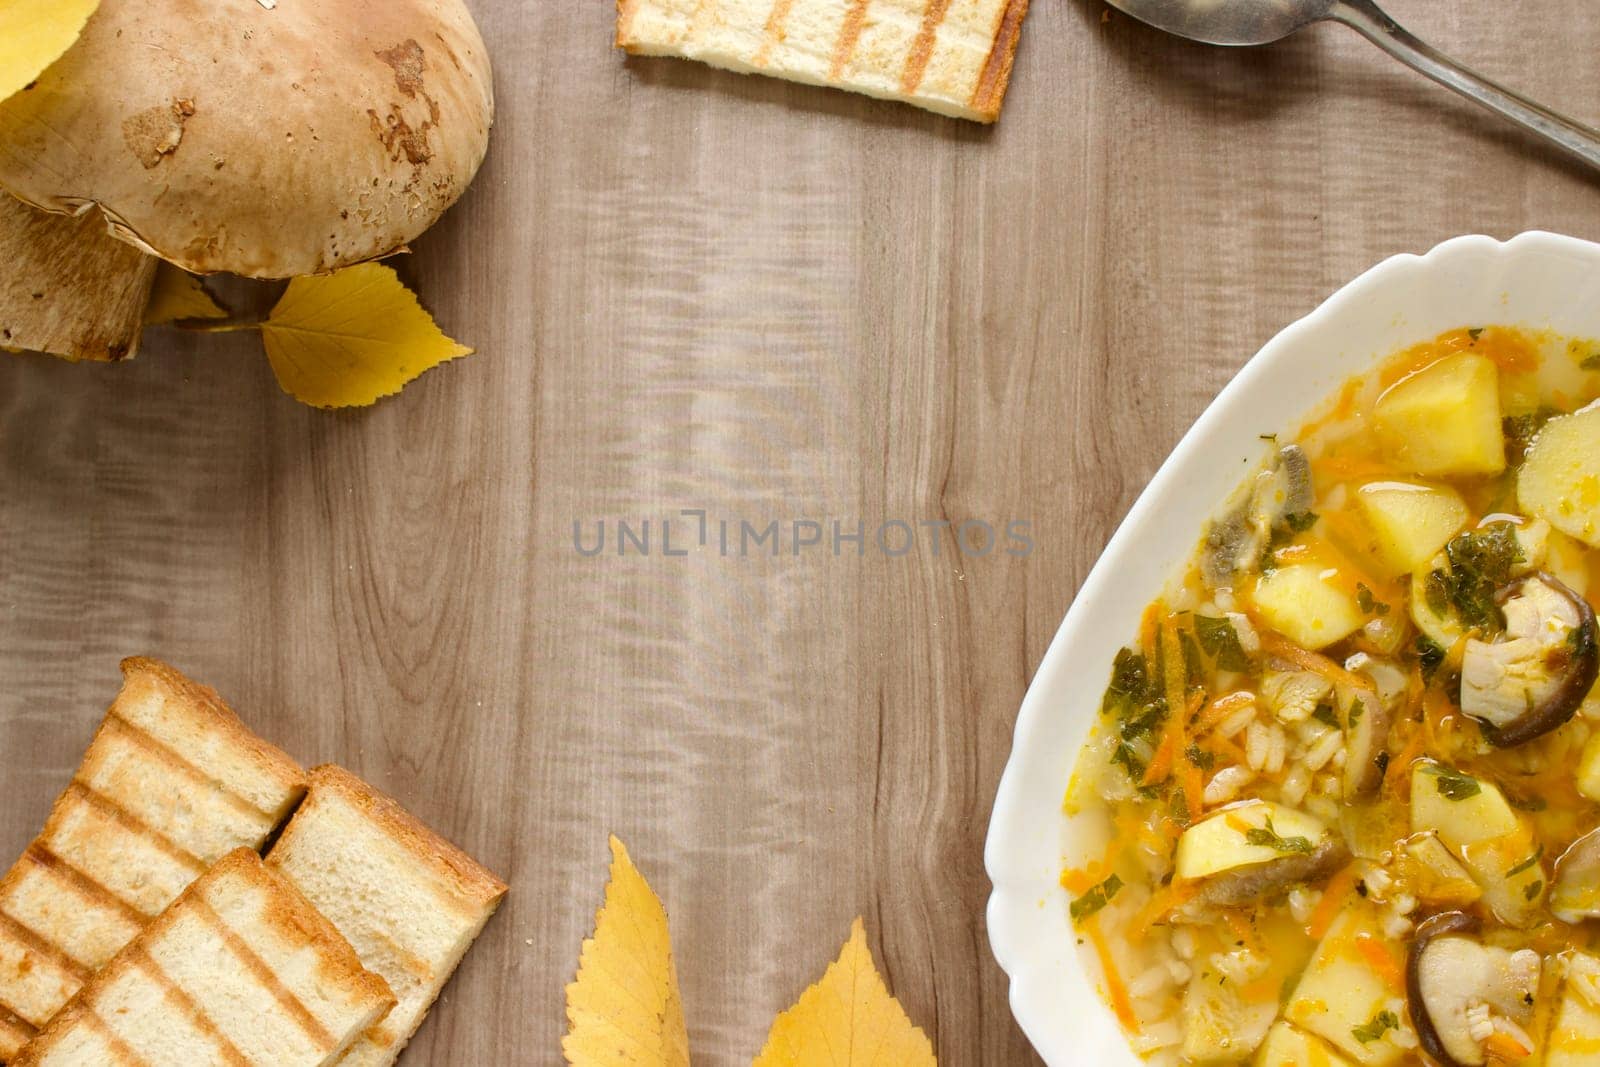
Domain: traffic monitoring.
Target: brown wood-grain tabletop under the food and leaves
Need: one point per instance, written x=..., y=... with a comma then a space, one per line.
x=694, y=290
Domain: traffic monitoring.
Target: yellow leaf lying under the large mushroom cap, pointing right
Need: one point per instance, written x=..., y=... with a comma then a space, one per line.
x=348, y=338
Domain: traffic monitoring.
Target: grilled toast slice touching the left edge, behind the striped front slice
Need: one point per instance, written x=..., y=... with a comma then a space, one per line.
x=170, y=785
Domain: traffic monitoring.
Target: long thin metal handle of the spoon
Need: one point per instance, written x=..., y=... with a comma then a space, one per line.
x=1383, y=31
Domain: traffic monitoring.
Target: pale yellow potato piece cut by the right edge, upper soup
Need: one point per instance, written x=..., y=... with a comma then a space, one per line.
x=1561, y=479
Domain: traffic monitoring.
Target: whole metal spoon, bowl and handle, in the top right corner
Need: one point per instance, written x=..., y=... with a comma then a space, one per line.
x=1265, y=22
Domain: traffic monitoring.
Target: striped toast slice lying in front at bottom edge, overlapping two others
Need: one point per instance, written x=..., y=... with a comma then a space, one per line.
x=239, y=970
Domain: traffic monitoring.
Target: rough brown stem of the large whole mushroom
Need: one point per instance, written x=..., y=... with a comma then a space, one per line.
x=70, y=289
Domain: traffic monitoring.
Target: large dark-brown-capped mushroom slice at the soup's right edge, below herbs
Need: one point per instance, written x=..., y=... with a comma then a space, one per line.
x=1537, y=677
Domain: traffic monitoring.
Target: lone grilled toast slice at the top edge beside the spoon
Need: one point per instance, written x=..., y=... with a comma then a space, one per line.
x=951, y=57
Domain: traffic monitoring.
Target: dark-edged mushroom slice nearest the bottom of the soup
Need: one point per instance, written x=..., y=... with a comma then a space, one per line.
x=1462, y=991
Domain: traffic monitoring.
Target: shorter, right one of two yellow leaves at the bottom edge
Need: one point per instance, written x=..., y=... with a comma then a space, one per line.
x=847, y=1020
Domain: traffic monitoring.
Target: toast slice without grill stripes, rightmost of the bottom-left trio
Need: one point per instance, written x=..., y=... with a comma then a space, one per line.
x=410, y=901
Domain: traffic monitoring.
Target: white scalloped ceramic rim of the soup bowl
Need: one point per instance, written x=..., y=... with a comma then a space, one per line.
x=1537, y=281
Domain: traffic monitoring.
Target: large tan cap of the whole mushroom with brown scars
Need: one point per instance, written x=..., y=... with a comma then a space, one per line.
x=223, y=135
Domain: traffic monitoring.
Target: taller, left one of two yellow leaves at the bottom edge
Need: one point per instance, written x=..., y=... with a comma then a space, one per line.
x=623, y=1010
